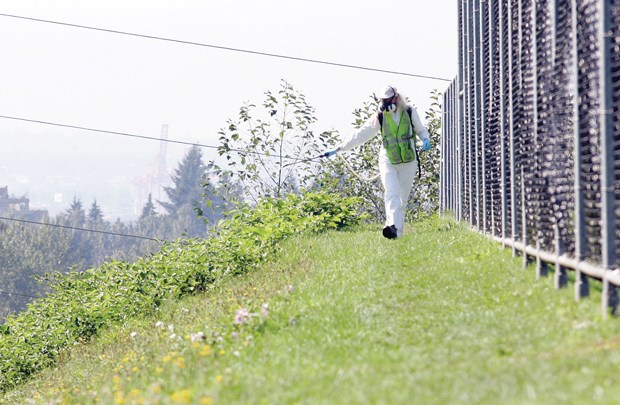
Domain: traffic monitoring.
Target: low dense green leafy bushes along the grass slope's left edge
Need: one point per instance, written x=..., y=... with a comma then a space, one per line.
x=84, y=303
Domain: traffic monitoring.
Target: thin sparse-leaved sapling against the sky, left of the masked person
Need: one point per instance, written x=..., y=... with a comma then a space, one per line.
x=268, y=152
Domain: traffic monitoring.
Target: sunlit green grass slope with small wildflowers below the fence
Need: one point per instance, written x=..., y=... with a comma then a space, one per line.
x=442, y=315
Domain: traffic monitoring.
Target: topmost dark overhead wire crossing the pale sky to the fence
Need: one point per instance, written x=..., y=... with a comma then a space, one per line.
x=226, y=48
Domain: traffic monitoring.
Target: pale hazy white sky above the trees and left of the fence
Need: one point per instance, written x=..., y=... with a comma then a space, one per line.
x=134, y=85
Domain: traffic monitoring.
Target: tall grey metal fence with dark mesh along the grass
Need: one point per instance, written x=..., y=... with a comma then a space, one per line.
x=531, y=135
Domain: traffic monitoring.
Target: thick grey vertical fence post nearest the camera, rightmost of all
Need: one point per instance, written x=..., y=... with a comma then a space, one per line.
x=608, y=244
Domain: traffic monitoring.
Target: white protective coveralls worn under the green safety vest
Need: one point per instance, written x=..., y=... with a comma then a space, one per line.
x=397, y=179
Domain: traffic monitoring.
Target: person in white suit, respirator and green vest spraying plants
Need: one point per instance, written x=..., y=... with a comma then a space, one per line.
x=398, y=124
